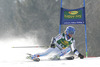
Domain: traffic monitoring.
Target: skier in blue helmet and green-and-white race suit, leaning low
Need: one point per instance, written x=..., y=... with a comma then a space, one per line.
x=63, y=44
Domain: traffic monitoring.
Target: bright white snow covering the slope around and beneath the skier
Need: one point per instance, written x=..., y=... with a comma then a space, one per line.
x=16, y=57
